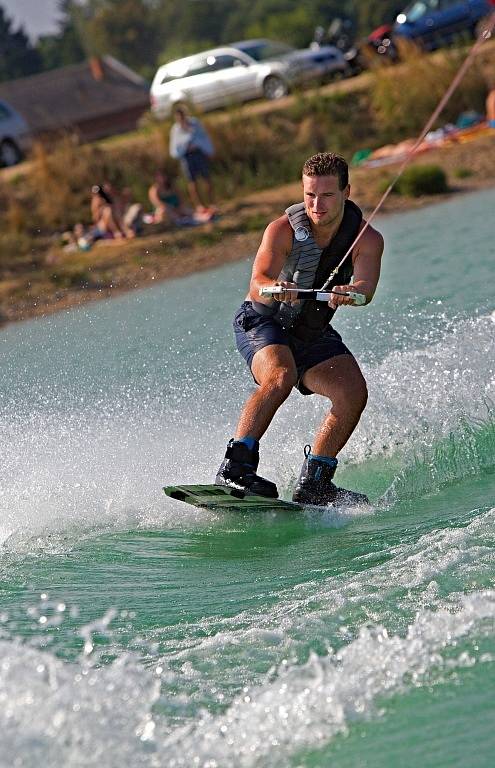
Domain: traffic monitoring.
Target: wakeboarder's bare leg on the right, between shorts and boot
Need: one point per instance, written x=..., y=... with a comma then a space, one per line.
x=340, y=379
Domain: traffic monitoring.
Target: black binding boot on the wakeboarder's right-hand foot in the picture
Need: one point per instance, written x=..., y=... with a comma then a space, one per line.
x=315, y=484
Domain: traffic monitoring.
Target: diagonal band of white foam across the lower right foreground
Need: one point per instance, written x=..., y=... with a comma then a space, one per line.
x=306, y=706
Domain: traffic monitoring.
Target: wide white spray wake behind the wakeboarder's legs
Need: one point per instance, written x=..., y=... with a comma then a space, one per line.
x=74, y=469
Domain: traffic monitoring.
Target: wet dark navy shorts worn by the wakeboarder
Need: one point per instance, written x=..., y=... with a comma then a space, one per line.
x=254, y=331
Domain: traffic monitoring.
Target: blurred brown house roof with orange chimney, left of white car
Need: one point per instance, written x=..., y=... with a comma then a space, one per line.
x=65, y=97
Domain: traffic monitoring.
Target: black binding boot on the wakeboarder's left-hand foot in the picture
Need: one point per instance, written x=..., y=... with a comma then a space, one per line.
x=238, y=470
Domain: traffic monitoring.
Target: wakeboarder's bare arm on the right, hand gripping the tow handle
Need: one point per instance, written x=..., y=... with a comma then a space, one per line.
x=367, y=262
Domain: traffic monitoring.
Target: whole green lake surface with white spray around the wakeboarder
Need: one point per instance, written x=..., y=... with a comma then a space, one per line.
x=137, y=631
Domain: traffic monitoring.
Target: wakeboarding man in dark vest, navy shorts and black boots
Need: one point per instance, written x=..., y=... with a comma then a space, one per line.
x=290, y=342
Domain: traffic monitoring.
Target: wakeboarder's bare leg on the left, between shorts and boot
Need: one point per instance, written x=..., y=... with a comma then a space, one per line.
x=274, y=369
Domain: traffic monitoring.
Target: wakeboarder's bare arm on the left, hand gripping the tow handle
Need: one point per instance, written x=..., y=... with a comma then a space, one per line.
x=272, y=254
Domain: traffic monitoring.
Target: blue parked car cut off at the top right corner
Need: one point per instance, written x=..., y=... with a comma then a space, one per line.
x=434, y=23
